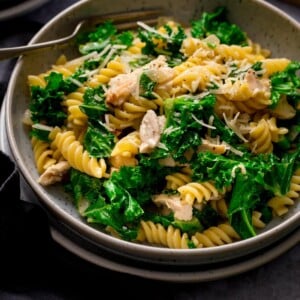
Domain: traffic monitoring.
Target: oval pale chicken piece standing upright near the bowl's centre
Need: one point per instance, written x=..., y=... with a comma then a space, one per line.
x=150, y=131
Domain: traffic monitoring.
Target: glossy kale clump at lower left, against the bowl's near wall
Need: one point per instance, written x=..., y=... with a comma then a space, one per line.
x=100, y=203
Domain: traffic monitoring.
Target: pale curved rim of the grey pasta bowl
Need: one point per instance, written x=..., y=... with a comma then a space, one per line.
x=266, y=238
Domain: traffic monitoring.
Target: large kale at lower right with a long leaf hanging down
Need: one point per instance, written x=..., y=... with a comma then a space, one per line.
x=251, y=177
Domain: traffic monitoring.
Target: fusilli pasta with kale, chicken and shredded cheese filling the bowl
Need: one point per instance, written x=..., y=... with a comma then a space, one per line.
x=173, y=136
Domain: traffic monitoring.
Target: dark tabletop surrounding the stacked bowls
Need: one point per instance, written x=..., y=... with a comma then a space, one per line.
x=43, y=269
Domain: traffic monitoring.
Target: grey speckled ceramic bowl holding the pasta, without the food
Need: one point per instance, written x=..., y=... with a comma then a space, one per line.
x=256, y=18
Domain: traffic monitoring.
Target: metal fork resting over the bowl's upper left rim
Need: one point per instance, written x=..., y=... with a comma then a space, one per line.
x=123, y=21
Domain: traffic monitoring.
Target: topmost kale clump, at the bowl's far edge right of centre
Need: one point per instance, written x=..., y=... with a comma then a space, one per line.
x=216, y=23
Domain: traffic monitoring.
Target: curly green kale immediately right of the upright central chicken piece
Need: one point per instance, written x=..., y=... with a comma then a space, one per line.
x=185, y=126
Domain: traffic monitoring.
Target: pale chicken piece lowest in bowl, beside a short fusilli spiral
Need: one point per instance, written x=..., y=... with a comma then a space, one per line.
x=182, y=211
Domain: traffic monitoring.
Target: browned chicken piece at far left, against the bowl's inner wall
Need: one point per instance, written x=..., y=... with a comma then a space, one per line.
x=54, y=173
